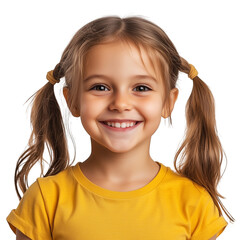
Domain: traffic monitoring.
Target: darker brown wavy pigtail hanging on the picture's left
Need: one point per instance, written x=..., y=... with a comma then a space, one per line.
x=47, y=128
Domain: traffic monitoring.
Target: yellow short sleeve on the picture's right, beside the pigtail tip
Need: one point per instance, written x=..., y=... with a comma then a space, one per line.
x=206, y=220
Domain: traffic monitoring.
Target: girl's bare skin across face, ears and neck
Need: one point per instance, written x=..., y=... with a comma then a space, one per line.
x=119, y=159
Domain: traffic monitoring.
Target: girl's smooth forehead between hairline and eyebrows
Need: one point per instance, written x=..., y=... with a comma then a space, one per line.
x=118, y=56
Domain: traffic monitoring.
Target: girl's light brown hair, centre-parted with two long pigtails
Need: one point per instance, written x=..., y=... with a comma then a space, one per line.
x=201, y=149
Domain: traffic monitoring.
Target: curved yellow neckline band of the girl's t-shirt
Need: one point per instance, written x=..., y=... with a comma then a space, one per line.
x=92, y=187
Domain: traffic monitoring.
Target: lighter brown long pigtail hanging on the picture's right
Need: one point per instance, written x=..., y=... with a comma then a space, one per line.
x=202, y=151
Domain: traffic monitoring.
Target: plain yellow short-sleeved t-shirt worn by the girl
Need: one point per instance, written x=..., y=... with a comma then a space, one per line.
x=68, y=206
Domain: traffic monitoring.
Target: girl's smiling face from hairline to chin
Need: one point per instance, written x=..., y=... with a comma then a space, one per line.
x=120, y=94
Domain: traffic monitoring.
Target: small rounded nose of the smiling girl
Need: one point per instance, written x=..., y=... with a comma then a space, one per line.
x=120, y=102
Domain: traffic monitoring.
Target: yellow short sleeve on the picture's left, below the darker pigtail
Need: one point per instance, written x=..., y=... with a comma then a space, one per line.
x=30, y=217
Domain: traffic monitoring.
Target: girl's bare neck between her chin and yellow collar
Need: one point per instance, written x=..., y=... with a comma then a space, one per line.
x=118, y=167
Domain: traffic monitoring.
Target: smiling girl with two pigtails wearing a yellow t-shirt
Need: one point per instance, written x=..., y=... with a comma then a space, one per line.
x=120, y=77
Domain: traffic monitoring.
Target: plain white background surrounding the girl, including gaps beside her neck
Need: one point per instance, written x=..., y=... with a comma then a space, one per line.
x=34, y=35
